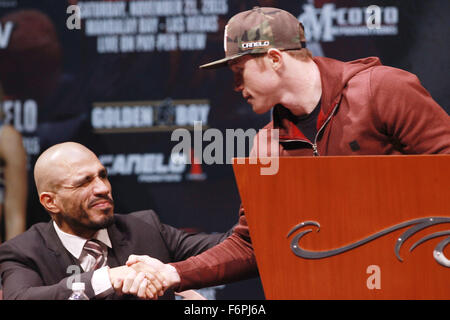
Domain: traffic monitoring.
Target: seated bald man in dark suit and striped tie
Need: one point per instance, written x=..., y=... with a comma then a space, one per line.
x=86, y=238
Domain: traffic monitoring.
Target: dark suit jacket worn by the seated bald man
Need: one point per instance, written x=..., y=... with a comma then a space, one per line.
x=35, y=265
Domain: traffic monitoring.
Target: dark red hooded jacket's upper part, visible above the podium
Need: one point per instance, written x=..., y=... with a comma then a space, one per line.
x=367, y=109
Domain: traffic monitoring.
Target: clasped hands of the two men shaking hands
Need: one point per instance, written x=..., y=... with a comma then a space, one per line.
x=146, y=278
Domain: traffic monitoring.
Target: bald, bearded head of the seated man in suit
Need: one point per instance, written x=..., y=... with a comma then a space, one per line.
x=73, y=187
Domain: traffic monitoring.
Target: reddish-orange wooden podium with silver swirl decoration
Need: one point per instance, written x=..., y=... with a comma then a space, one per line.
x=371, y=211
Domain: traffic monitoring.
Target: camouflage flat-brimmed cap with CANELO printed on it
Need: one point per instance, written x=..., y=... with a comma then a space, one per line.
x=256, y=31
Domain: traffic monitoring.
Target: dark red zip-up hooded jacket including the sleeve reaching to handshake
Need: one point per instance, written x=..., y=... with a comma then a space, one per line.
x=366, y=109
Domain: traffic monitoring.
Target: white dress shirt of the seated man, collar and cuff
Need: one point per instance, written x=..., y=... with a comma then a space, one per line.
x=100, y=279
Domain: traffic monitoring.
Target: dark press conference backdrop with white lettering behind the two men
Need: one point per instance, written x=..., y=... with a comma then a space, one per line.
x=122, y=78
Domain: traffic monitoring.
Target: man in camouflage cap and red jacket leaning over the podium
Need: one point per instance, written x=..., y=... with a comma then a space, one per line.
x=321, y=107
